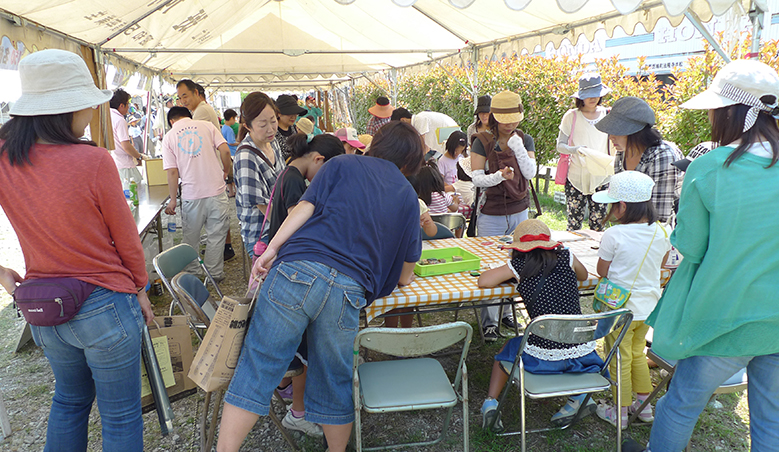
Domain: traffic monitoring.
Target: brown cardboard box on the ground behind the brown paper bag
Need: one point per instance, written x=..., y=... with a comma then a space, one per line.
x=179, y=337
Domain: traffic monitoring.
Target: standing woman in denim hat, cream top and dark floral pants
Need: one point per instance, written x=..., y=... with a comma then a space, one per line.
x=576, y=139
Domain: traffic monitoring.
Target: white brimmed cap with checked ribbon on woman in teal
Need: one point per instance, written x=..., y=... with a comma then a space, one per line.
x=740, y=82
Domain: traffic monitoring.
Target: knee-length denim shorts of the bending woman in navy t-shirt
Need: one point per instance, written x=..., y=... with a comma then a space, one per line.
x=298, y=296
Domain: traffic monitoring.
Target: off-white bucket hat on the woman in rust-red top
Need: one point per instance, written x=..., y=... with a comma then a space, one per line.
x=55, y=82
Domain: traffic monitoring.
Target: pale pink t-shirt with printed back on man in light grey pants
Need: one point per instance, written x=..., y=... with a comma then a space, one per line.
x=191, y=146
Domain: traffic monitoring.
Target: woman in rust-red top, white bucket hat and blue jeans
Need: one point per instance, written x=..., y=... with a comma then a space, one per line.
x=65, y=201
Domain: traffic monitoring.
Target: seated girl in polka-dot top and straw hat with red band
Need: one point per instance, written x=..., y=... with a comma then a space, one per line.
x=534, y=256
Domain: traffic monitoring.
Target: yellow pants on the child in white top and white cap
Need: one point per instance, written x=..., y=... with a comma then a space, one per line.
x=635, y=371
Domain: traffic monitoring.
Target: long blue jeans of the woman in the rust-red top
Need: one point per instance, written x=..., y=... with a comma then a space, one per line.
x=98, y=352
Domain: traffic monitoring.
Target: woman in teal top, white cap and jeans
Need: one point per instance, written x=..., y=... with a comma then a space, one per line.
x=720, y=313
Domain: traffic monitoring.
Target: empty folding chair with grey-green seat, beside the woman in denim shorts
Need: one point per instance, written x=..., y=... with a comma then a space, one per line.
x=410, y=384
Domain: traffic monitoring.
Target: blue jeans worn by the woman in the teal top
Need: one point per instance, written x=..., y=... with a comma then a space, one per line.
x=695, y=380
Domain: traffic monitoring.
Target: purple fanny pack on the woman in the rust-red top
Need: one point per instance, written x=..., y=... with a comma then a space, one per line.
x=51, y=301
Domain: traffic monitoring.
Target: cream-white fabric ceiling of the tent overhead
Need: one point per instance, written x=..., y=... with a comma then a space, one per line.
x=259, y=39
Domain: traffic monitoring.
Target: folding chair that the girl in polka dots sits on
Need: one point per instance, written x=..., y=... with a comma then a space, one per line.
x=566, y=329
